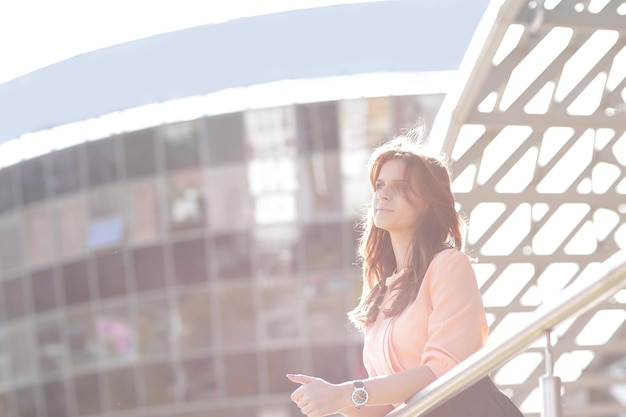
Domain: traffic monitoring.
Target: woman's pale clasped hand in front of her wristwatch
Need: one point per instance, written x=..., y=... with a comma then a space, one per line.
x=316, y=397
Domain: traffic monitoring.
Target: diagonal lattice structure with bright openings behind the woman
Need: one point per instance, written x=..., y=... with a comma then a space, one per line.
x=537, y=137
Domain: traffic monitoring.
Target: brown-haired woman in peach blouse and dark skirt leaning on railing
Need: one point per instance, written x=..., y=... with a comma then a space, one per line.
x=420, y=311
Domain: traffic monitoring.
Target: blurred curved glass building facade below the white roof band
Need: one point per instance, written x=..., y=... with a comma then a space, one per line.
x=184, y=269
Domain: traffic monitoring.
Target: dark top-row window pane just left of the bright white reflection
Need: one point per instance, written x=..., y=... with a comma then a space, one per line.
x=224, y=138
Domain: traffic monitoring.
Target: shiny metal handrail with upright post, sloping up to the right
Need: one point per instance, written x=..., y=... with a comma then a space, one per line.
x=574, y=300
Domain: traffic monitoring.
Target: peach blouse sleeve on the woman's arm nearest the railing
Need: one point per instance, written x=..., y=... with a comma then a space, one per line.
x=457, y=325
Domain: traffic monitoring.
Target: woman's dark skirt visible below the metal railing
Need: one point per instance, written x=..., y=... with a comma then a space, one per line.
x=483, y=399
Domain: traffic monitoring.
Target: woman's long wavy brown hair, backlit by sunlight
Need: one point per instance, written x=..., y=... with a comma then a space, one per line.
x=441, y=228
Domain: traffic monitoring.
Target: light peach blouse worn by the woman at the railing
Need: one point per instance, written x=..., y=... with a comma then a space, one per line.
x=444, y=325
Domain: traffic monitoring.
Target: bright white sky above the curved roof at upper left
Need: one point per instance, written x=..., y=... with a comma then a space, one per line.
x=38, y=33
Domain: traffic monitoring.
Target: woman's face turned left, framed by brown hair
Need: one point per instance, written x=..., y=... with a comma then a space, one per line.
x=397, y=208
